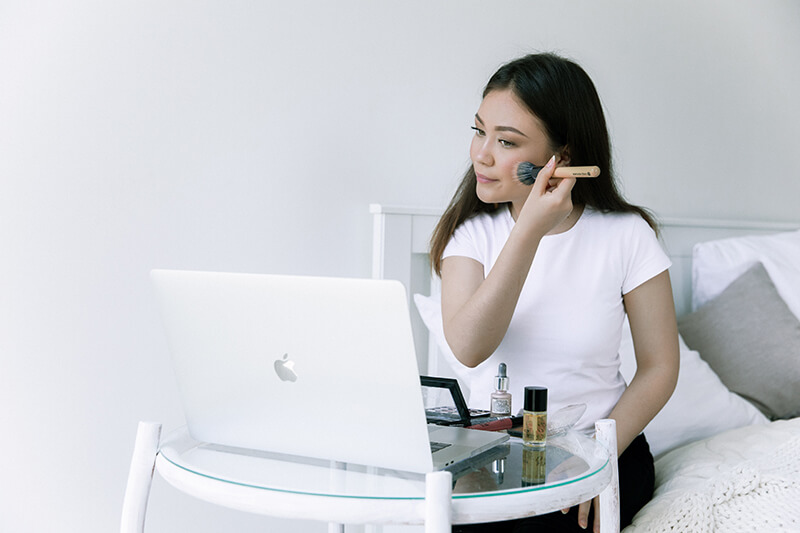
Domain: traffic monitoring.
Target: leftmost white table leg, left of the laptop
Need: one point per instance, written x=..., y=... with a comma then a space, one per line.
x=140, y=477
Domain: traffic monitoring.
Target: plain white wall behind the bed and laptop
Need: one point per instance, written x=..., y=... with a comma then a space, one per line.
x=251, y=136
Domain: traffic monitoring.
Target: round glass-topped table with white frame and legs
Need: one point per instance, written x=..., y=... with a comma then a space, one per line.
x=510, y=481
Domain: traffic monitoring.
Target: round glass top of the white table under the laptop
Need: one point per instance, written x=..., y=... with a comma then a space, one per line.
x=508, y=468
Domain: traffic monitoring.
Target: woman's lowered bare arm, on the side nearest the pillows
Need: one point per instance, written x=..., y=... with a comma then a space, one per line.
x=651, y=312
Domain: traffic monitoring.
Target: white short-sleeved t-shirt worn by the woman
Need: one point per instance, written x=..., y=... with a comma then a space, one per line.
x=566, y=329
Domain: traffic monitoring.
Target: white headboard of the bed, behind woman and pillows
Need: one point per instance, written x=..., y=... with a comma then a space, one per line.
x=401, y=237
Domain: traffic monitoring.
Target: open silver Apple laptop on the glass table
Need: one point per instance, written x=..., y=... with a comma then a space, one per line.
x=308, y=366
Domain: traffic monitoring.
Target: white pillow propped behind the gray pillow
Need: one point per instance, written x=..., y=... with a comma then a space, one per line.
x=715, y=264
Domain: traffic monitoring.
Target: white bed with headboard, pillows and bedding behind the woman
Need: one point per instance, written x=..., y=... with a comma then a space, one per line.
x=721, y=464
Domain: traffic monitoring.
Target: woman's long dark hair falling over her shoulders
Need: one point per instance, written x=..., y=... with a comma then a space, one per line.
x=563, y=97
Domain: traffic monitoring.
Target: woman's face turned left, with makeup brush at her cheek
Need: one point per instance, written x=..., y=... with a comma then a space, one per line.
x=506, y=134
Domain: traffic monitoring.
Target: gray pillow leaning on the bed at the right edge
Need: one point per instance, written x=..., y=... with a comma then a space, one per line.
x=751, y=339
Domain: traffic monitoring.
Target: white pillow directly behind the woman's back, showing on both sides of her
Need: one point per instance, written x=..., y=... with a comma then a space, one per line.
x=700, y=407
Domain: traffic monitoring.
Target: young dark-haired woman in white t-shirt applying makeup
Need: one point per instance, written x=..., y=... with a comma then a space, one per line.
x=541, y=277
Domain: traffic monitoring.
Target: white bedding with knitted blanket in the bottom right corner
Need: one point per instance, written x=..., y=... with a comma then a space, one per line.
x=744, y=480
